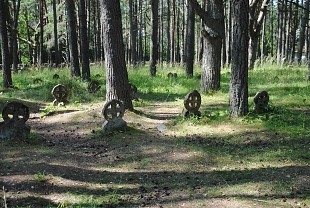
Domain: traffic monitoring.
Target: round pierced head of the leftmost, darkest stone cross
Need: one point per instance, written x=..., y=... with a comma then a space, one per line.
x=15, y=111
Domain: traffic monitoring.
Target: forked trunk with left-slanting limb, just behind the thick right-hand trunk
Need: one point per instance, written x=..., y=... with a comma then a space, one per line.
x=213, y=37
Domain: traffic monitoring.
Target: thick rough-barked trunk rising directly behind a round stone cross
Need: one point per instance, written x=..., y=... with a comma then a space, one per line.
x=117, y=86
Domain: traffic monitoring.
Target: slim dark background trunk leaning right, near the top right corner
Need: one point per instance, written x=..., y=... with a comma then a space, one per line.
x=302, y=34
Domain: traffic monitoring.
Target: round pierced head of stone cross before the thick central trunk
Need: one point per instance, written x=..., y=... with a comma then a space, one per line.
x=113, y=109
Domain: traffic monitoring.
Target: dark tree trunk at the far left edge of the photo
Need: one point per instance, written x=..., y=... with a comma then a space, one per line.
x=6, y=68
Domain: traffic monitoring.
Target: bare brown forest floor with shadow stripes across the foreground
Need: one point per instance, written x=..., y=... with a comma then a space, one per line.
x=70, y=162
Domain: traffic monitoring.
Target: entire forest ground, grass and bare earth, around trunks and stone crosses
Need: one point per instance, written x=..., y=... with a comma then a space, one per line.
x=214, y=161
